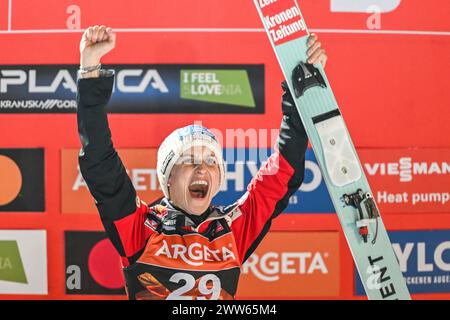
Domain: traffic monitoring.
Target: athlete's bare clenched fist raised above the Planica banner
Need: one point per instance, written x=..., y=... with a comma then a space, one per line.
x=95, y=43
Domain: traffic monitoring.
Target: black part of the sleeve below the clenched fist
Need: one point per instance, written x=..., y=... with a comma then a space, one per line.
x=99, y=162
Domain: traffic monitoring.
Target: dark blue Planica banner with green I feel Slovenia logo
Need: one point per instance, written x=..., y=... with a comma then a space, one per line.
x=138, y=89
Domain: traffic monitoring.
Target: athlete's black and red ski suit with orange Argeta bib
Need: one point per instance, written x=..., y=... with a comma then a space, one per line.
x=167, y=254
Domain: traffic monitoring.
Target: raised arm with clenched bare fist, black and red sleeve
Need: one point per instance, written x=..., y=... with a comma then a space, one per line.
x=121, y=212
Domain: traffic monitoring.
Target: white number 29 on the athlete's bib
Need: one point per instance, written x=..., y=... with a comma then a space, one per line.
x=208, y=284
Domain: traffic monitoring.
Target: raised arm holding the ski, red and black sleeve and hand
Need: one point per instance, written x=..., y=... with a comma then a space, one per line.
x=269, y=192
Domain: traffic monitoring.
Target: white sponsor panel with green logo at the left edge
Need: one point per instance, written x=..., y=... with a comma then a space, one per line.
x=23, y=262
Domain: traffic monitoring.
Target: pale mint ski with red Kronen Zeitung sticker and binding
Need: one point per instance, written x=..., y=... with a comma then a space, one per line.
x=343, y=174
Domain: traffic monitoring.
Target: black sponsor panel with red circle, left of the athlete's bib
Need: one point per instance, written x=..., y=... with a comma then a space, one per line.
x=92, y=264
